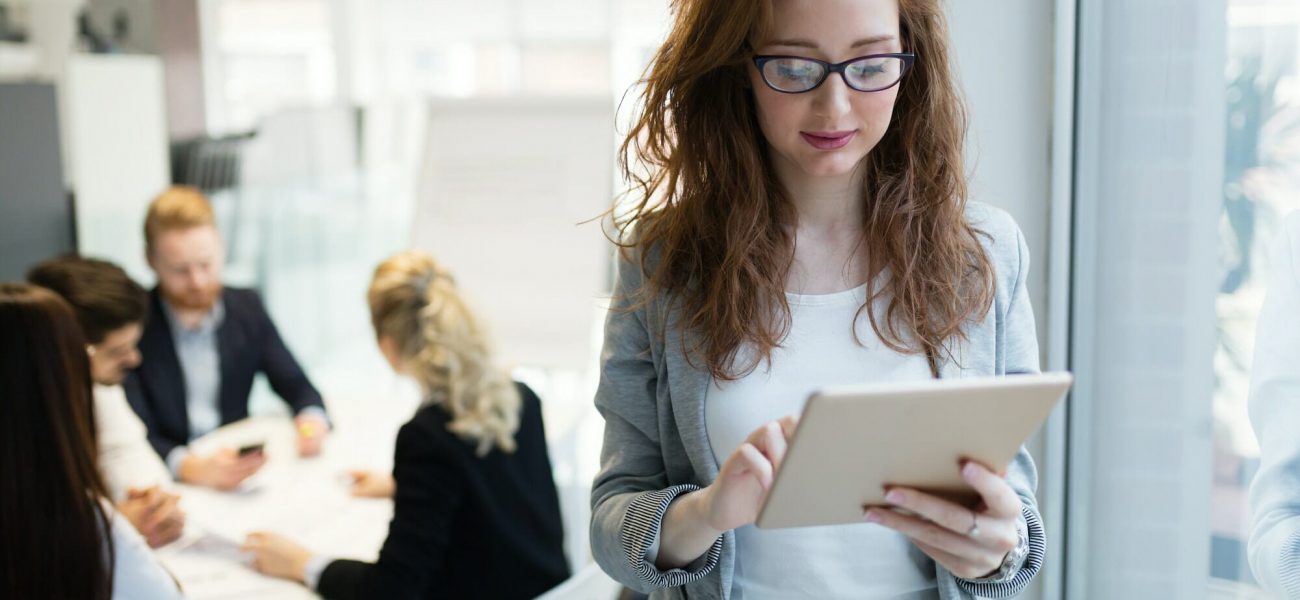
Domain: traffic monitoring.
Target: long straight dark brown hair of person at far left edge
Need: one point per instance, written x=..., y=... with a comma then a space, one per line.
x=54, y=527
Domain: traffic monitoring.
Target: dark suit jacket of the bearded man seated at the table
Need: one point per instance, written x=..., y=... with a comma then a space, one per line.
x=248, y=344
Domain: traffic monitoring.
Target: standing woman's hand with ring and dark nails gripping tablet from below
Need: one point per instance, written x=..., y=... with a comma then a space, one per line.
x=969, y=544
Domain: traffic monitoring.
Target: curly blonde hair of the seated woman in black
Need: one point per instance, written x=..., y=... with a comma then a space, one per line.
x=414, y=301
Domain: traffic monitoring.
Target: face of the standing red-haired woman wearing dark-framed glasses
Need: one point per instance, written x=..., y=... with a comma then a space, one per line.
x=829, y=131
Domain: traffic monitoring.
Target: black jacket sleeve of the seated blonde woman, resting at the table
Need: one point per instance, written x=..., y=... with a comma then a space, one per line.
x=430, y=488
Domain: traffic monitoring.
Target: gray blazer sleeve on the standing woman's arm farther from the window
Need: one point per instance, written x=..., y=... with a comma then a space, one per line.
x=631, y=493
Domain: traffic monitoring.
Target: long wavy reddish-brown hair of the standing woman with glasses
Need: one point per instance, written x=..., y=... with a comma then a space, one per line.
x=709, y=207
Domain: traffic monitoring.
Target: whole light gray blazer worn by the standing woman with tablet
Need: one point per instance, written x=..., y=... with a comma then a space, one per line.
x=657, y=447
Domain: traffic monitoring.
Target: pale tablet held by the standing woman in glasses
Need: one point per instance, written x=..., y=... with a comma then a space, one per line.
x=855, y=441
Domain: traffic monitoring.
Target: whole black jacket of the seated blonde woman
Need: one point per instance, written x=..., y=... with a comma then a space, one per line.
x=463, y=527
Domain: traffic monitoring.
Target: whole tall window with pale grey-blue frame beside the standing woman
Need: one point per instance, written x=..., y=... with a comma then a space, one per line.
x=1189, y=132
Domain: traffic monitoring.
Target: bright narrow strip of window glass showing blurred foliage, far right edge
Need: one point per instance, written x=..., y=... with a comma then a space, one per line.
x=1262, y=186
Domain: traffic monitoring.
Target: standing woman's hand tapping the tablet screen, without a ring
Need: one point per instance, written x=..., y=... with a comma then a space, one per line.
x=746, y=479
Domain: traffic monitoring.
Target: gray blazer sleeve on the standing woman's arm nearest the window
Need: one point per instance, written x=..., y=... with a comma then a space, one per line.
x=1019, y=354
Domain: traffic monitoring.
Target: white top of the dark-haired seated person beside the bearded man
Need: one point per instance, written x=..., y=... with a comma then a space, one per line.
x=125, y=456
